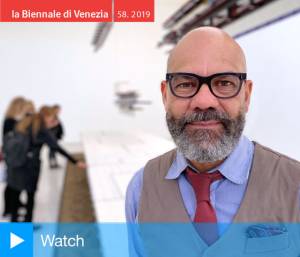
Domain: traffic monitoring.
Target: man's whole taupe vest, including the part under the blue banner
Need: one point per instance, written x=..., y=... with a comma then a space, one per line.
x=272, y=196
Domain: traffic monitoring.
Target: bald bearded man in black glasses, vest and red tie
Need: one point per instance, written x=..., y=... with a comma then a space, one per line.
x=216, y=176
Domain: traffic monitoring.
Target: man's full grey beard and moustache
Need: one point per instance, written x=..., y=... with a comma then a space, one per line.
x=206, y=145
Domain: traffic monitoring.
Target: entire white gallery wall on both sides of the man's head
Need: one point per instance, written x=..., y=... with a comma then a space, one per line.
x=55, y=63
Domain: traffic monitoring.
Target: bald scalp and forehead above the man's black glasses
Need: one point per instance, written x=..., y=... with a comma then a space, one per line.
x=209, y=48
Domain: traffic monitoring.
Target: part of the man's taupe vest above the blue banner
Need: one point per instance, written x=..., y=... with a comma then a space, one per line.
x=271, y=195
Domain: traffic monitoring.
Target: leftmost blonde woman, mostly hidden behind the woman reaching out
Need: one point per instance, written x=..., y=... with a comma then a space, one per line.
x=14, y=113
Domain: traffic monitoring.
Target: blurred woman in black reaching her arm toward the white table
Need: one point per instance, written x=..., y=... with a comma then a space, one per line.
x=37, y=127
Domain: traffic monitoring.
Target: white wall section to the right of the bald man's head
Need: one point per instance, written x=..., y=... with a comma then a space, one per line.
x=273, y=56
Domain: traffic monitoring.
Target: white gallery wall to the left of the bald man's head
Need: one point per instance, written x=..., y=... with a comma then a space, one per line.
x=55, y=63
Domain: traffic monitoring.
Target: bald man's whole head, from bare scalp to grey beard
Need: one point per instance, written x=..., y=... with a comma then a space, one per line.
x=205, y=126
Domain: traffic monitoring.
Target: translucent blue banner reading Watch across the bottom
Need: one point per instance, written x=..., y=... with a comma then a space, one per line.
x=149, y=240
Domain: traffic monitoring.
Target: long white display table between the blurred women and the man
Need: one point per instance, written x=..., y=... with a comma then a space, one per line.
x=113, y=158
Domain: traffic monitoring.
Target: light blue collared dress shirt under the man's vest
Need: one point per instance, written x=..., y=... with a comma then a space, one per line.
x=226, y=194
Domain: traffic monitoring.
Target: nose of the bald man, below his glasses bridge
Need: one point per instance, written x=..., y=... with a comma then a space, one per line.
x=204, y=99
